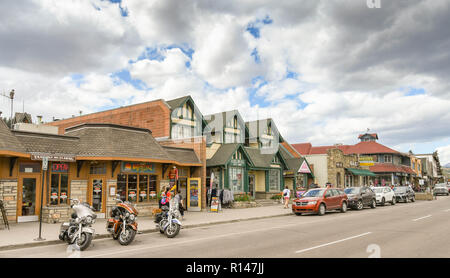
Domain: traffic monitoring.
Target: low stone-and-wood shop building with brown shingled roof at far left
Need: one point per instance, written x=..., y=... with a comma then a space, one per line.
x=90, y=162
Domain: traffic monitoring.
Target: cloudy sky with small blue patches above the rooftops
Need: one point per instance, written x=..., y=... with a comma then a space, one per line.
x=325, y=71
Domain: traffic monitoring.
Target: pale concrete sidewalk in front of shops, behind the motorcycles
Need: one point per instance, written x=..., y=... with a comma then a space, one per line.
x=22, y=235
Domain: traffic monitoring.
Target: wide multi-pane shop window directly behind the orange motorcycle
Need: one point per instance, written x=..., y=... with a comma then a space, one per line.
x=127, y=187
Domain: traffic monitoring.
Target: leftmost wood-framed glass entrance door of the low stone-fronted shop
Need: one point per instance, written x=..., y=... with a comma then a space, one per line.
x=28, y=199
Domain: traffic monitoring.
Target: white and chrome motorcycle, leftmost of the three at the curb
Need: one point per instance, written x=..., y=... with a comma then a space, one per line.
x=79, y=229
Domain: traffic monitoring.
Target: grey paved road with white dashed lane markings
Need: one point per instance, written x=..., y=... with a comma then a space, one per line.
x=410, y=230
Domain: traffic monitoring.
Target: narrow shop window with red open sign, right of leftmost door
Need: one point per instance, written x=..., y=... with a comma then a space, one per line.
x=59, y=184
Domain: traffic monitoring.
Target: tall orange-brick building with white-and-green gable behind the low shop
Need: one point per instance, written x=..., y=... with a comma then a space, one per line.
x=175, y=123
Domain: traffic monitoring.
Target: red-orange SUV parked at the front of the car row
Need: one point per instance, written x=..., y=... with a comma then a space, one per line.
x=320, y=200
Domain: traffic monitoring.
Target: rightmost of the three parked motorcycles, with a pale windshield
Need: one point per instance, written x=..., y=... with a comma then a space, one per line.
x=167, y=221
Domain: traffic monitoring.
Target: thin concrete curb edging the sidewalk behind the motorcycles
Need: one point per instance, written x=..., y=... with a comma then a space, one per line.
x=147, y=231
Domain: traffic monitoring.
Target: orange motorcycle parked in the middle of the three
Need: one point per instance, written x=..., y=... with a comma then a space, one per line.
x=122, y=224
